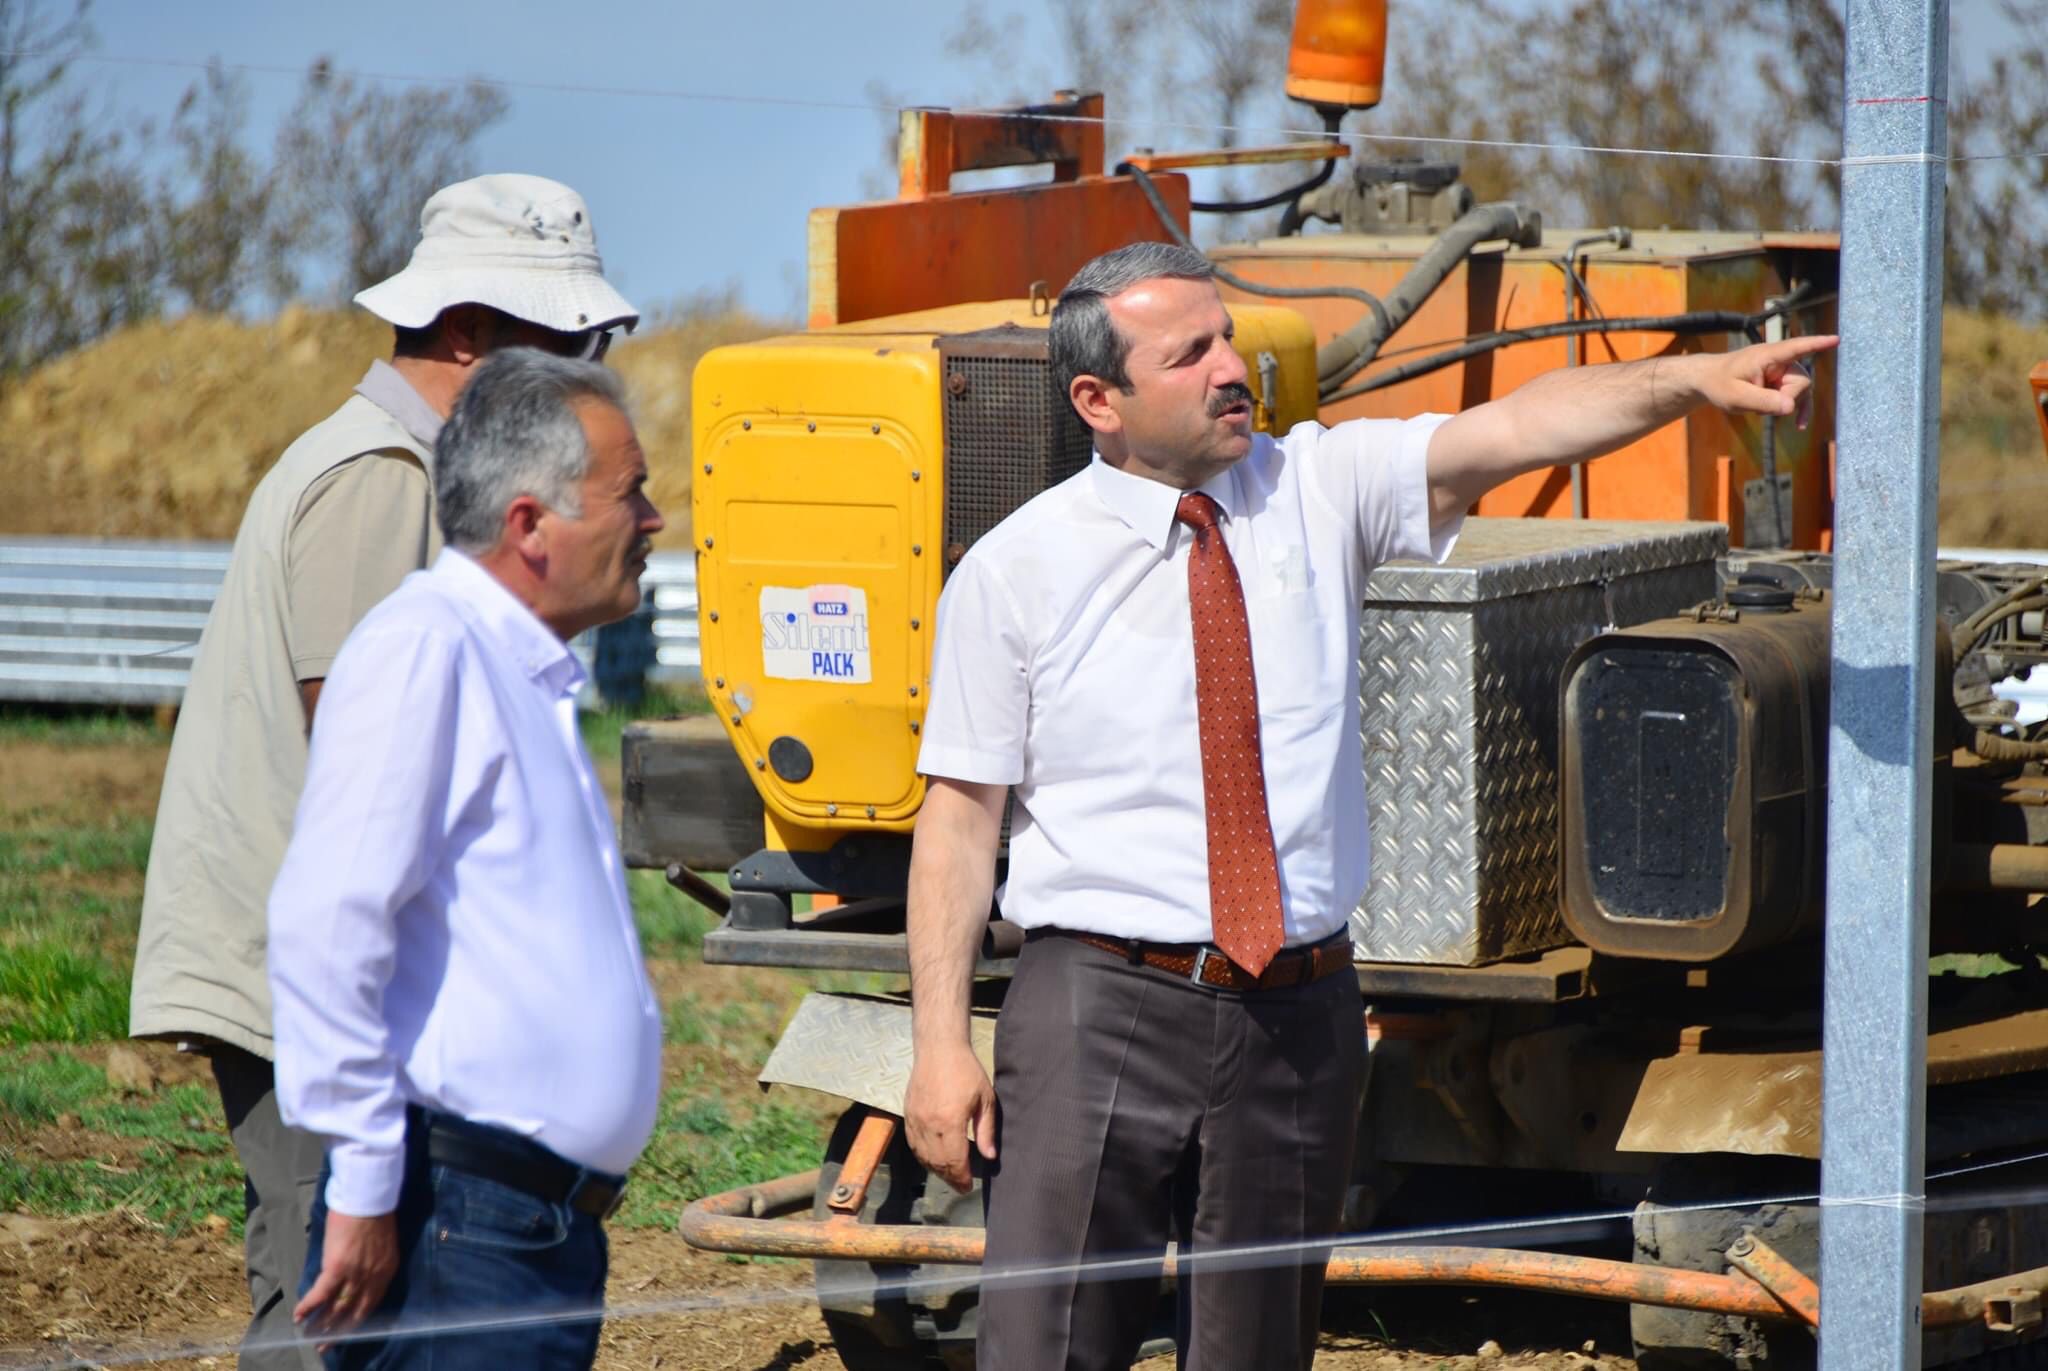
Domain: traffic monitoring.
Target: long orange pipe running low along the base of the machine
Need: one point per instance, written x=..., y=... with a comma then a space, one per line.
x=740, y=1222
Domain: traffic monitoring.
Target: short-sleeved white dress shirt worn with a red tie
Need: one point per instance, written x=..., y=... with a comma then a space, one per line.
x=1066, y=669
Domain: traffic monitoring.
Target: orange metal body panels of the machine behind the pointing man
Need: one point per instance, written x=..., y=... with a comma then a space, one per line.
x=935, y=247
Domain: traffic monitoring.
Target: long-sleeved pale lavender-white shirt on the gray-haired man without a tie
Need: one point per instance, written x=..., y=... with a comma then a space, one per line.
x=452, y=923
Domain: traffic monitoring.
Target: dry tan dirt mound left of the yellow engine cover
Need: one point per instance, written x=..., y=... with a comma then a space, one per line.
x=163, y=429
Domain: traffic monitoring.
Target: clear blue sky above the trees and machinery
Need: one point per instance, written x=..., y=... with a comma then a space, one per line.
x=687, y=194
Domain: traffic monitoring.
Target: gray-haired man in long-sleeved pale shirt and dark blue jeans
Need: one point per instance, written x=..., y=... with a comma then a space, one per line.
x=462, y=1009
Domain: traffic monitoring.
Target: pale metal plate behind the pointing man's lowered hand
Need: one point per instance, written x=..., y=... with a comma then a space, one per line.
x=857, y=1048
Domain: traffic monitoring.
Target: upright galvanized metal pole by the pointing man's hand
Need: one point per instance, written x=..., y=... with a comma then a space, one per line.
x=1875, y=1091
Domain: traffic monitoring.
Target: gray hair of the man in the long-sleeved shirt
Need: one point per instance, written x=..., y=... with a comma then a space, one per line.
x=515, y=433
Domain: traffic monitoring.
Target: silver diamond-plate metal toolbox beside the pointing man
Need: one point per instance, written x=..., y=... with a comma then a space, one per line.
x=1459, y=714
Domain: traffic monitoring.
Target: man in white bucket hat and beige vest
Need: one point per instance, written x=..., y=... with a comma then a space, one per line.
x=331, y=530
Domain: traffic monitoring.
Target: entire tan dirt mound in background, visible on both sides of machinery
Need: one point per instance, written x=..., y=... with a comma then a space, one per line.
x=163, y=429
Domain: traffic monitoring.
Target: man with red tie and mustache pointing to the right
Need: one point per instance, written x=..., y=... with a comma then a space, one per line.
x=1158, y=659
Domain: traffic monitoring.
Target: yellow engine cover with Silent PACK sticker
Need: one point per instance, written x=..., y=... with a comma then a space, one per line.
x=818, y=509
